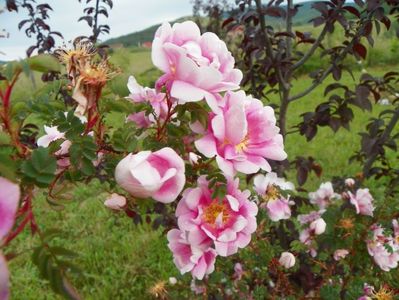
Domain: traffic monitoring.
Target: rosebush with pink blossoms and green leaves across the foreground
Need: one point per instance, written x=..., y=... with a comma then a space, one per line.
x=201, y=149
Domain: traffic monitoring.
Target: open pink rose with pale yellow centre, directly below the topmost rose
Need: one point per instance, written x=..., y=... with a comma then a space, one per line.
x=242, y=136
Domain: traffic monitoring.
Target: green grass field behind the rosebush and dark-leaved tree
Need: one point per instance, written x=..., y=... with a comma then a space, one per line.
x=121, y=260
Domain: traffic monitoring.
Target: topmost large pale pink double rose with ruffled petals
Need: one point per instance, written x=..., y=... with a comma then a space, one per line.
x=196, y=66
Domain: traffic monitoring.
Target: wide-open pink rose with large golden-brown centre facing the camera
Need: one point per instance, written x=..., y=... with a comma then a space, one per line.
x=228, y=223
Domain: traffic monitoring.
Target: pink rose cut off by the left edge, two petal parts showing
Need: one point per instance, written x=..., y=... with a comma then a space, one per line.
x=9, y=199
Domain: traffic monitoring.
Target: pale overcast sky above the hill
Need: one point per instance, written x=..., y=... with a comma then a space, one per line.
x=127, y=16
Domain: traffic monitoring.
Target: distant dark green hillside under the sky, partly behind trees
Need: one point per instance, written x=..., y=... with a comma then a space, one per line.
x=304, y=15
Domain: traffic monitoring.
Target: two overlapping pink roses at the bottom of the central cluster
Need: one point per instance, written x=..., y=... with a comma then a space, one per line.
x=209, y=227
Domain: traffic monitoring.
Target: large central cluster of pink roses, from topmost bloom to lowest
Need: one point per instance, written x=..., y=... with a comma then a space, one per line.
x=241, y=135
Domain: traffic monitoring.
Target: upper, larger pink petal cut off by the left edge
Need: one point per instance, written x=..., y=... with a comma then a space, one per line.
x=9, y=198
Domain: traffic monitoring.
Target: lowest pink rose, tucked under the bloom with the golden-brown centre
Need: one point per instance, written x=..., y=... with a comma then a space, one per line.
x=198, y=259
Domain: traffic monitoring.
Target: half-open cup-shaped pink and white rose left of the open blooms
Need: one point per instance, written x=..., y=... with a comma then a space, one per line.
x=160, y=175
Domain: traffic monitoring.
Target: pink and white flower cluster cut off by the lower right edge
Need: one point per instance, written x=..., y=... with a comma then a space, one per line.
x=384, y=248
